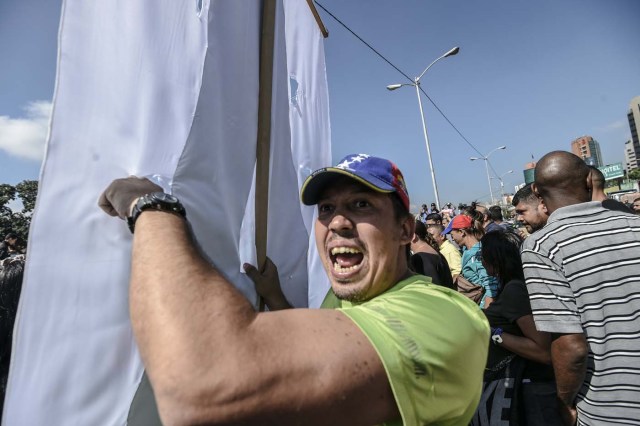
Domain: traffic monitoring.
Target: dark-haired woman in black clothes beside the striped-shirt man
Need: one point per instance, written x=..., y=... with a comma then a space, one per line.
x=519, y=355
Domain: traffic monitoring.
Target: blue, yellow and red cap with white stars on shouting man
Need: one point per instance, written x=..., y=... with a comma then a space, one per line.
x=376, y=173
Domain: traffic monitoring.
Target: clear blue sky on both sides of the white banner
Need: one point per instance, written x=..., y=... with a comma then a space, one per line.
x=530, y=75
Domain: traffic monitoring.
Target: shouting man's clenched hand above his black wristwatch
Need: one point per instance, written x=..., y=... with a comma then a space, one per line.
x=118, y=198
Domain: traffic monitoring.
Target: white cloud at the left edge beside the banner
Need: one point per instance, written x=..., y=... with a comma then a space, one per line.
x=25, y=137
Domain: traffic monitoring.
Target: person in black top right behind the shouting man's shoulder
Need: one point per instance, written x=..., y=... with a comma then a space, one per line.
x=427, y=259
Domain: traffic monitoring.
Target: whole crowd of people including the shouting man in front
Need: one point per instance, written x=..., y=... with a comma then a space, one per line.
x=449, y=317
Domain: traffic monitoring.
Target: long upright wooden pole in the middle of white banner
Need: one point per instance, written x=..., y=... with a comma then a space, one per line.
x=263, y=146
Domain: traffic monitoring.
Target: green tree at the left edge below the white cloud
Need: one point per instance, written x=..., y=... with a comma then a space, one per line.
x=17, y=221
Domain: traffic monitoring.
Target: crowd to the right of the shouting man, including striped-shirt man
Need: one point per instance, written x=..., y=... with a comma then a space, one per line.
x=564, y=319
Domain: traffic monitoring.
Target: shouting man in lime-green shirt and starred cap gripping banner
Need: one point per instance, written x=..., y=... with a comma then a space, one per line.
x=388, y=353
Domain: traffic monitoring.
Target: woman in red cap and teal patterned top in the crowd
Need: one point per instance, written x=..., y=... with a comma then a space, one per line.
x=466, y=230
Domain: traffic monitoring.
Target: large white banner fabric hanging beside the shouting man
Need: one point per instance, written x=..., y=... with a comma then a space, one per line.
x=155, y=87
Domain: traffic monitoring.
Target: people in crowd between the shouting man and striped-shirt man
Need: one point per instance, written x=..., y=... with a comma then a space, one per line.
x=518, y=382
